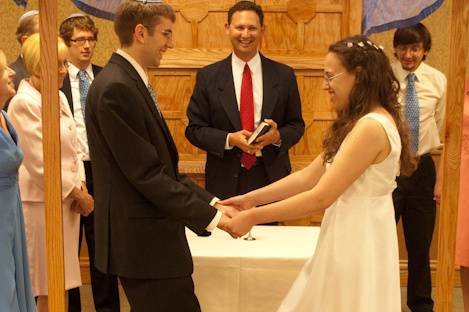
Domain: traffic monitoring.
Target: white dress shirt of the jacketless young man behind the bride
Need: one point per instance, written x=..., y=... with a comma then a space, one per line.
x=430, y=85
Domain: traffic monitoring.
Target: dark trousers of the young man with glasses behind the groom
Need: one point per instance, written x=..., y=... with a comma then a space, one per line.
x=104, y=287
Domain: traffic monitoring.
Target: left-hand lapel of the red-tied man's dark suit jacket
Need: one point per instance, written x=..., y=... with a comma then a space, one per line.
x=227, y=94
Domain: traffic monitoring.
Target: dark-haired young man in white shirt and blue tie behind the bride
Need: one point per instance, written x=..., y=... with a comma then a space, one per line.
x=423, y=93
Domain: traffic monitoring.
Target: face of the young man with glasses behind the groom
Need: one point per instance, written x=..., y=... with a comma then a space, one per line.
x=81, y=47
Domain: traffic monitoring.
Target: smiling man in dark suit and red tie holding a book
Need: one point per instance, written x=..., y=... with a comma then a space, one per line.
x=231, y=97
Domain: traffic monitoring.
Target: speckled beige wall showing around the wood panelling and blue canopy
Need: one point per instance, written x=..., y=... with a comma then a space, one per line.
x=9, y=14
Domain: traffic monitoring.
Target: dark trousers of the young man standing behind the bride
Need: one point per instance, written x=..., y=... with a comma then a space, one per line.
x=413, y=202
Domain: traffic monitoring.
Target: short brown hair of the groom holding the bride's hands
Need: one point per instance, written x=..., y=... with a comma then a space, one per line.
x=130, y=13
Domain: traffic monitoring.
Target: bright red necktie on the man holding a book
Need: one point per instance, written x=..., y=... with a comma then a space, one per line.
x=246, y=111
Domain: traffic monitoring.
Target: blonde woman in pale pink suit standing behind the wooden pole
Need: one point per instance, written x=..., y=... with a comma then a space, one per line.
x=25, y=113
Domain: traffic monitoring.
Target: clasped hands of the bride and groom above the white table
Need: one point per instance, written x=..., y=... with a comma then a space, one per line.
x=235, y=220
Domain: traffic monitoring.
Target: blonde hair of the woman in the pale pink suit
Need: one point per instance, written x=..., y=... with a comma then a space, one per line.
x=31, y=52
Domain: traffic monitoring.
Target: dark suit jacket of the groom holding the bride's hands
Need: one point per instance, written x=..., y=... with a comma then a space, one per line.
x=142, y=202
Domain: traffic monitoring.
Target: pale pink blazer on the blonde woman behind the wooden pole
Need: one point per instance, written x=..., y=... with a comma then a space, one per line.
x=25, y=114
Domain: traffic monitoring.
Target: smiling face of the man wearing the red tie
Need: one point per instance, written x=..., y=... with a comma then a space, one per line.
x=245, y=32
